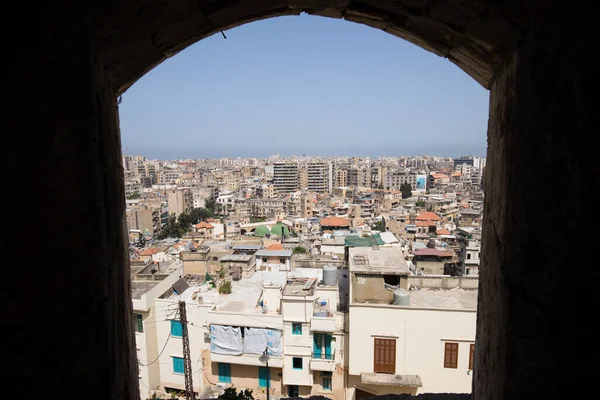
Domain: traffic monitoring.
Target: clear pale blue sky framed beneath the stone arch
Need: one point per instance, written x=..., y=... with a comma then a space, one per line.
x=304, y=84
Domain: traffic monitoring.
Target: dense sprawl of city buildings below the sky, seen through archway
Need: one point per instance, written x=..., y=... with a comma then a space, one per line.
x=336, y=276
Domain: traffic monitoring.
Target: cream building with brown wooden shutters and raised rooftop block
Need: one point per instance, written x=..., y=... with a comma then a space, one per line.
x=400, y=341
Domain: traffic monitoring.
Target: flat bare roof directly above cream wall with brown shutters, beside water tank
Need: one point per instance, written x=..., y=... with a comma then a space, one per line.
x=458, y=299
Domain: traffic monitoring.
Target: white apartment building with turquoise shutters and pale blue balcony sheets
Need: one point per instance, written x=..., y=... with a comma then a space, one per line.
x=292, y=315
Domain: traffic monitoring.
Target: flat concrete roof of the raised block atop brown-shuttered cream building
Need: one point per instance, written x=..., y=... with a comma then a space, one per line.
x=377, y=260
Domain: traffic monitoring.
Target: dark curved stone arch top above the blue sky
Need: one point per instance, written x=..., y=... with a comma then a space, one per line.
x=474, y=34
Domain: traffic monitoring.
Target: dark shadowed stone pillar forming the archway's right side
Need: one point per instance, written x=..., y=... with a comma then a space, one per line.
x=533, y=340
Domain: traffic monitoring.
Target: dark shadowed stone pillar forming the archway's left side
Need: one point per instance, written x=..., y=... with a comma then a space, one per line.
x=69, y=287
